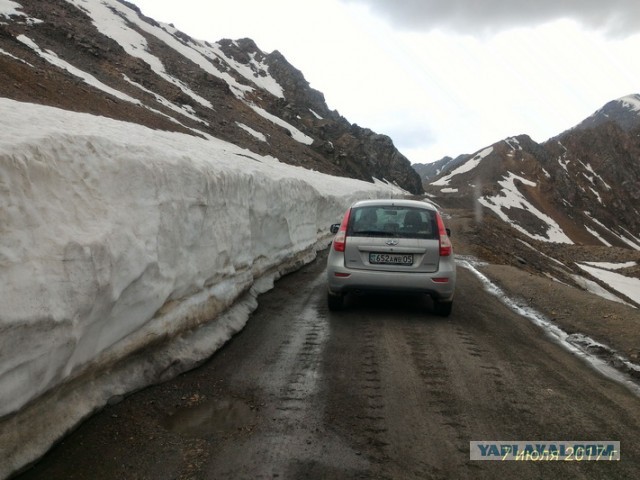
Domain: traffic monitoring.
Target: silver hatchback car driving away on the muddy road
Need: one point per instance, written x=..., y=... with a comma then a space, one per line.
x=392, y=246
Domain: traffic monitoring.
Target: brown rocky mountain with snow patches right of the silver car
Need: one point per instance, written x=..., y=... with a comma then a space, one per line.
x=550, y=206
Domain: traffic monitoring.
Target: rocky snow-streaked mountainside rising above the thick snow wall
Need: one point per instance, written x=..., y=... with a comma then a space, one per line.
x=107, y=58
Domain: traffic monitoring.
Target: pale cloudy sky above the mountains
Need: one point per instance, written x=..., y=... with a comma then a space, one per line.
x=440, y=77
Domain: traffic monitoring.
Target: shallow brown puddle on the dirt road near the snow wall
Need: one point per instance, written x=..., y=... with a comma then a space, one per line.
x=216, y=417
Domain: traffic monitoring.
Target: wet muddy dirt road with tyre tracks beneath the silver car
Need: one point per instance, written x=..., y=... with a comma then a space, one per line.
x=384, y=389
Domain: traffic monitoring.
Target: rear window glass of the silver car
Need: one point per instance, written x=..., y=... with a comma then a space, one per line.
x=383, y=221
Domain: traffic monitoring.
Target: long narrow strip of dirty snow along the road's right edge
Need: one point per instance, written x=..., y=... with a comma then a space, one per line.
x=599, y=356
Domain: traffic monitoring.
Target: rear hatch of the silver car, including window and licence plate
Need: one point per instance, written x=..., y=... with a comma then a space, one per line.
x=393, y=238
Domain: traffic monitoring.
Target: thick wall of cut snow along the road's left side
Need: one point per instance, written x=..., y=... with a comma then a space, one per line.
x=129, y=255
